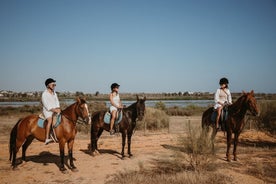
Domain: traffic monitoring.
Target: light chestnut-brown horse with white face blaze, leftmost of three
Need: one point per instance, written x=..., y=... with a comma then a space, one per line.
x=26, y=129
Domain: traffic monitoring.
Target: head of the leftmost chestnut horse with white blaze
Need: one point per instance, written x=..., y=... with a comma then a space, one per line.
x=82, y=110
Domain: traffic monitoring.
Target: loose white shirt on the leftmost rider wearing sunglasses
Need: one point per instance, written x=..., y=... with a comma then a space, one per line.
x=49, y=101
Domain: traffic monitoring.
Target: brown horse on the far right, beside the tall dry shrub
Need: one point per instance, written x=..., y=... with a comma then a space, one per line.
x=235, y=121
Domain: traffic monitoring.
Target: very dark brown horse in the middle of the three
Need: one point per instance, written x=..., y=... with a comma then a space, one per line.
x=126, y=126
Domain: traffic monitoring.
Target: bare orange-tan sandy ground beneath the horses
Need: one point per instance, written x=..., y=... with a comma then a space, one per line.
x=257, y=157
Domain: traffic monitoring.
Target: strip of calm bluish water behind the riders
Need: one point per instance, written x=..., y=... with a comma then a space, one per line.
x=149, y=103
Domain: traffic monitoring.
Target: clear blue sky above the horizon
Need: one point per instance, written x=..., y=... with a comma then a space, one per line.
x=144, y=45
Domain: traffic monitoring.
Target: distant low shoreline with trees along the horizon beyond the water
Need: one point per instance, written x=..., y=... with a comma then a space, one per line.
x=36, y=96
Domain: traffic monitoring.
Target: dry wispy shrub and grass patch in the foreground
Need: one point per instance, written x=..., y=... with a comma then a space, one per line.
x=190, y=163
